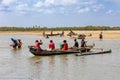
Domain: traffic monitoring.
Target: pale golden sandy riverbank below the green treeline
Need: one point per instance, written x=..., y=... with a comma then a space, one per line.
x=112, y=34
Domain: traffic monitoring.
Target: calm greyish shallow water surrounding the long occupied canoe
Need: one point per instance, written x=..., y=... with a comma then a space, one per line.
x=22, y=65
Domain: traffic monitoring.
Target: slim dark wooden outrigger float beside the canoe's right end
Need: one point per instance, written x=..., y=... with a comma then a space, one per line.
x=94, y=53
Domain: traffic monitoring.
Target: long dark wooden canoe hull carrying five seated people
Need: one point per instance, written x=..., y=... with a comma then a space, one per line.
x=57, y=52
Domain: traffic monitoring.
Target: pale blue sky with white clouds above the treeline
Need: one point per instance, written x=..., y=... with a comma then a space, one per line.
x=59, y=13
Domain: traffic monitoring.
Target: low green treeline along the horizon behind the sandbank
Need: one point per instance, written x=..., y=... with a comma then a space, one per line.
x=58, y=28
